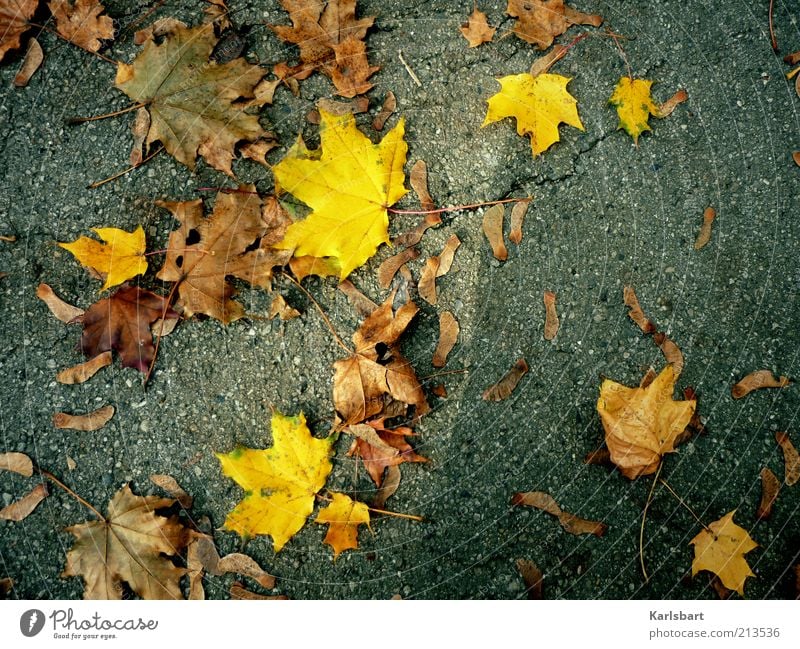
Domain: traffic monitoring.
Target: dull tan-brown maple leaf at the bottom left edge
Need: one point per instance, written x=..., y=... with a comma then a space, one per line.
x=132, y=545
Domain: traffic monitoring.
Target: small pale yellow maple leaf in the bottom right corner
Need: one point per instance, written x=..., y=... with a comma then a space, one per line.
x=720, y=549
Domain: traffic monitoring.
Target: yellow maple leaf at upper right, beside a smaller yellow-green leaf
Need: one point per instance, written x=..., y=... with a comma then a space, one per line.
x=539, y=103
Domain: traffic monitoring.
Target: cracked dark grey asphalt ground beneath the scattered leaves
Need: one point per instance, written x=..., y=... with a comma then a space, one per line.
x=605, y=214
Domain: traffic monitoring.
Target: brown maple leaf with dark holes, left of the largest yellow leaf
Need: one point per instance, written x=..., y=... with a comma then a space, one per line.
x=233, y=242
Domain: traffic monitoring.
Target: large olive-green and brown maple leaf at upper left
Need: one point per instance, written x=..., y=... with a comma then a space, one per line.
x=190, y=99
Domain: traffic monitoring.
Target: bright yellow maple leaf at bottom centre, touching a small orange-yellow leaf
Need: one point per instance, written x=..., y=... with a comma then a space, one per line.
x=280, y=482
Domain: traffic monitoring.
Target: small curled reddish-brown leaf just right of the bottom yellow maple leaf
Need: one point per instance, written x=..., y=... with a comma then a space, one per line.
x=381, y=447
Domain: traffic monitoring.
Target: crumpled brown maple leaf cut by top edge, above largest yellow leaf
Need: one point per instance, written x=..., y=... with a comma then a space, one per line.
x=330, y=39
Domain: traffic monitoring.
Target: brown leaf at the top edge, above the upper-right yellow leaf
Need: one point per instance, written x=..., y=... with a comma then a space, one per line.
x=540, y=21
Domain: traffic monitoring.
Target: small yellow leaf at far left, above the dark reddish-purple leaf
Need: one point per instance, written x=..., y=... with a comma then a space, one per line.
x=119, y=258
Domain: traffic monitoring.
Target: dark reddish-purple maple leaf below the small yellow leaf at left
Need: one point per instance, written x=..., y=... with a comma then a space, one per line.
x=122, y=323
